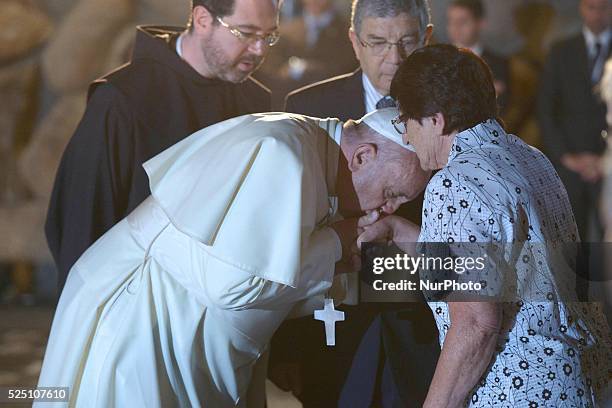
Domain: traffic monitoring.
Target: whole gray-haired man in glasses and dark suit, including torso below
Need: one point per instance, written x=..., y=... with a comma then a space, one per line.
x=383, y=359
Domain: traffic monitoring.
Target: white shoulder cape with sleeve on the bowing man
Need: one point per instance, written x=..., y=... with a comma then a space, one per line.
x=253, y=193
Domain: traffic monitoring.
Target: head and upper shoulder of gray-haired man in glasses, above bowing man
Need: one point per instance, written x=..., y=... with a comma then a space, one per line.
x=383, y=33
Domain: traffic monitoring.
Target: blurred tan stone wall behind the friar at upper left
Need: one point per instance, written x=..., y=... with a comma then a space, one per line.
x=50, y=50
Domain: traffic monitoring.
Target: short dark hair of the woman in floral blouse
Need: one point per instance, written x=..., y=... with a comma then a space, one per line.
x=448, y=80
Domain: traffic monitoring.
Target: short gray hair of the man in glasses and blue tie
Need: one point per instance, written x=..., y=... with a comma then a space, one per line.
x=418, y=9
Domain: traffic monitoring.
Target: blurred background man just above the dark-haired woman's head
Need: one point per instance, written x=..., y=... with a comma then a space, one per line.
x=465, y=22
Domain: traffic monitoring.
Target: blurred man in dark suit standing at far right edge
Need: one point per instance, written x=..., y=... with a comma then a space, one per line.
x=573, y=118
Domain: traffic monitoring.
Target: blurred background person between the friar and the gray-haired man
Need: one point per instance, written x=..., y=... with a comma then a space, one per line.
x=312, y=47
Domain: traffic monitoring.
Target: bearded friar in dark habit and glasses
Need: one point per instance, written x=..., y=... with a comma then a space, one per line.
x=178, y=81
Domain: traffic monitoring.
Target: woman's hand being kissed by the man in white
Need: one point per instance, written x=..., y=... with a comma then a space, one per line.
x=402, y=232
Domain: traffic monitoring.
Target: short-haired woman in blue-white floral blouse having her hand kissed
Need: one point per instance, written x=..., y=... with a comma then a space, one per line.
x=539, y=350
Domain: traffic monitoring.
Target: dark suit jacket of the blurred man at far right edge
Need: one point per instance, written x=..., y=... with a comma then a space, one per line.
x=571, y=116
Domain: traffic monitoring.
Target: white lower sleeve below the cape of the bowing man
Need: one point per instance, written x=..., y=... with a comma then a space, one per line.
x=231, y=288
